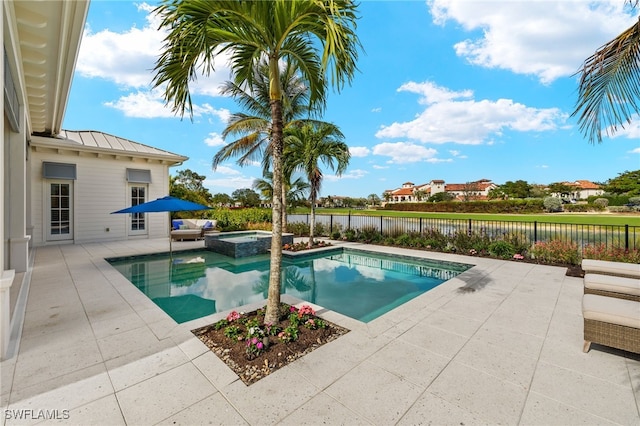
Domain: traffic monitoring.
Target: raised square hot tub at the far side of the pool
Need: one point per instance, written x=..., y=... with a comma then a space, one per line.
x=242, y=243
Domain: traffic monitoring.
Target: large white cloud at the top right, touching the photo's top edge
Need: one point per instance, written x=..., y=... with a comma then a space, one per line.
x=546, y=39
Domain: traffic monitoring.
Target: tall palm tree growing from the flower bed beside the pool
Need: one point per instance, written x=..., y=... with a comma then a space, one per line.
x=315, y=36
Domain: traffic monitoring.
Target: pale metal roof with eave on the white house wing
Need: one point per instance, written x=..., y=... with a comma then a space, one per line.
x=99, y=142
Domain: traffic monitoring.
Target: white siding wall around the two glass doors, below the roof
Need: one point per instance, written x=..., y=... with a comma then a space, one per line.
x=100, y=188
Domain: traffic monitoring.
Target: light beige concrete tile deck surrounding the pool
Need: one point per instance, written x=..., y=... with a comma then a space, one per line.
x=499, y=344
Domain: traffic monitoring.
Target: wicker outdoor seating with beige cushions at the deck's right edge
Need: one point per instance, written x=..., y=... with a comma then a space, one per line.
x=611, y=305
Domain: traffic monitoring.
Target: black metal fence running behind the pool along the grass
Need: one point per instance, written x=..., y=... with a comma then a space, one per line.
x=611, y=236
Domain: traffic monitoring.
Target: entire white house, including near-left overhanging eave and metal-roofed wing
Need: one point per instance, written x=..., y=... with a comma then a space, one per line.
x=57, y=186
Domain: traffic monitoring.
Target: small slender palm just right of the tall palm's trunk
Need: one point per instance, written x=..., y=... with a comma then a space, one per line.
x=308, y=145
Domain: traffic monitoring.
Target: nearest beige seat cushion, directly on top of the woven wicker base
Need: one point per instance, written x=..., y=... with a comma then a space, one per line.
x=611, y=310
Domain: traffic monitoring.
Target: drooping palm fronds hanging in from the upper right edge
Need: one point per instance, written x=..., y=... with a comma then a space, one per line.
x=609, y=89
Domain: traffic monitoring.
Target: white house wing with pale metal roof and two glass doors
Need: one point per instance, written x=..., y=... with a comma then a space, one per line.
x=79, y=178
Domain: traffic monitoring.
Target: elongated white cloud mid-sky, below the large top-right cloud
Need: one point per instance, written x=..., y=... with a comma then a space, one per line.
x=454, y=117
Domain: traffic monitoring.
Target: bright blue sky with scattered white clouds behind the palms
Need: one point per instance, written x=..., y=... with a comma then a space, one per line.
x=453, y=90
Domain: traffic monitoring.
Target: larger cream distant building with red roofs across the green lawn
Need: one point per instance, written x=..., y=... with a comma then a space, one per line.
x=410, y=193
